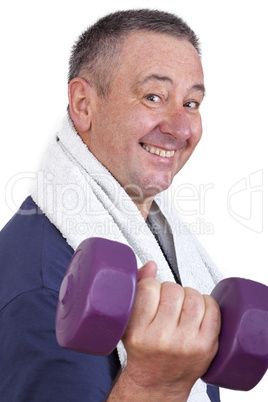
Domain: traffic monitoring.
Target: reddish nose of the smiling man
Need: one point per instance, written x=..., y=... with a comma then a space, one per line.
x=176, y=123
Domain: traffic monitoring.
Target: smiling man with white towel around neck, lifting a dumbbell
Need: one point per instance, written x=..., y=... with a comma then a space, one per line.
x=135, y=87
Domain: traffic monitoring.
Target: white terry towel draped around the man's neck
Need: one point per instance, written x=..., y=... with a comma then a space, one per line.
x=82, y=199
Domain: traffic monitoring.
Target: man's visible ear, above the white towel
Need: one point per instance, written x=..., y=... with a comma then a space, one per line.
x=79, y=104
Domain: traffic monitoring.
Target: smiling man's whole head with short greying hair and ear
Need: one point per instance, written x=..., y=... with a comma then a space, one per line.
x=143, y=122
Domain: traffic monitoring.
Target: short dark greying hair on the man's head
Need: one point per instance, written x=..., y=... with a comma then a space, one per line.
x=94, y=55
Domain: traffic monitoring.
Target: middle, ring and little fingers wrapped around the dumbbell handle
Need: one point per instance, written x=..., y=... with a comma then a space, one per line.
x=188, y=317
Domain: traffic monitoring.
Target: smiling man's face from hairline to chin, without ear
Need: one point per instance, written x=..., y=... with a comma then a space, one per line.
x=150, y=124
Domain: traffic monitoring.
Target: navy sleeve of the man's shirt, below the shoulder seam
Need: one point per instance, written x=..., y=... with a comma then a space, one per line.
x=33, y=367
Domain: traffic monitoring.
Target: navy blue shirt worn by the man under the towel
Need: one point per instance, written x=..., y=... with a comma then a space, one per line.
x=33, y=367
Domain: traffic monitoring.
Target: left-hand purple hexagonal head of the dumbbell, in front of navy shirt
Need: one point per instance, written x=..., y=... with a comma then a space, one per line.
x=96, y=296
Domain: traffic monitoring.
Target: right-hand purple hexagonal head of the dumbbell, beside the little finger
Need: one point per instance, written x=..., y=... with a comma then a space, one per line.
x=242, y=358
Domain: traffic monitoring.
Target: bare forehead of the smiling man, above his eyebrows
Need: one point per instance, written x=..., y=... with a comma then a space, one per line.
x=146, y=53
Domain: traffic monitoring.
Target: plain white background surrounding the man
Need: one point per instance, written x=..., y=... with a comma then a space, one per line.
x=36, y=38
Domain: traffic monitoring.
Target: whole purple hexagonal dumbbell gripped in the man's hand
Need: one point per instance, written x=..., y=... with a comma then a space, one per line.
x=96, y=299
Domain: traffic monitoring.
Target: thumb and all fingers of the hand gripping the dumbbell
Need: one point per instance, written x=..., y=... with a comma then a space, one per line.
x=171, y=305
